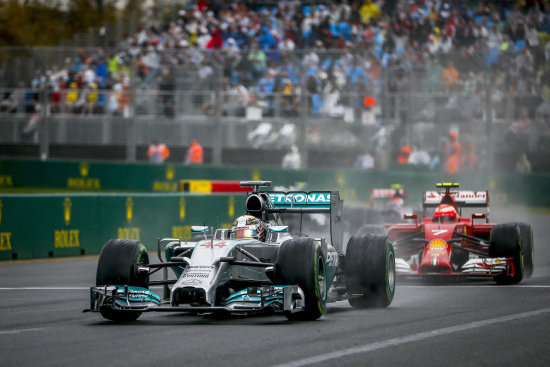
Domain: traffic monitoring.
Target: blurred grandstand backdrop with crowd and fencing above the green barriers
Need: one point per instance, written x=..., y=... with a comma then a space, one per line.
x=449, y=86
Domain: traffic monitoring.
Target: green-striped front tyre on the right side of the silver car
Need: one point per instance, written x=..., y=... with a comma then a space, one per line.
x=301, y=262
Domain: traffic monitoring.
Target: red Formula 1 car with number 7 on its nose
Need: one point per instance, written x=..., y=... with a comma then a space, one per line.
x=447, y=244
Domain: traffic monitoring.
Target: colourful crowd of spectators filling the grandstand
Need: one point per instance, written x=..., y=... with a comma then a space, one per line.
x=267, y=53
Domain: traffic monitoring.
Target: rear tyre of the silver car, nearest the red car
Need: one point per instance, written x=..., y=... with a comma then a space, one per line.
x=370, y=271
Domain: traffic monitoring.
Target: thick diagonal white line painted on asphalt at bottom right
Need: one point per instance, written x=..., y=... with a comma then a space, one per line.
x=410, y=338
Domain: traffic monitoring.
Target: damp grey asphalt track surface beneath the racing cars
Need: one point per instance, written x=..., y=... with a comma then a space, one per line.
x=464, y=324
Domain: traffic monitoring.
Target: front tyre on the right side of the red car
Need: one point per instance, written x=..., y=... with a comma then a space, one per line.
x=506, y=242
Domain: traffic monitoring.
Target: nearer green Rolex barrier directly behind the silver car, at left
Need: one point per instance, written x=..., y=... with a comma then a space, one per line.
x=53, y=225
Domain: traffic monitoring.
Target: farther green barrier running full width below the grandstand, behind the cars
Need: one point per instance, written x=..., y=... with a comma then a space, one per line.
x=85, y=176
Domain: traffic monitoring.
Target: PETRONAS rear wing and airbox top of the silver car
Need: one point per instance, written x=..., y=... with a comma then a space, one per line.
x=261, y=204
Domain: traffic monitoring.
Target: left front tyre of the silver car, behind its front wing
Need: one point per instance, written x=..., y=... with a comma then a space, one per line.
x=116, y=266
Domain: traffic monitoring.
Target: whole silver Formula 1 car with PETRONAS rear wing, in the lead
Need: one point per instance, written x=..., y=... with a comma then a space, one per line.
x=257, y=266
